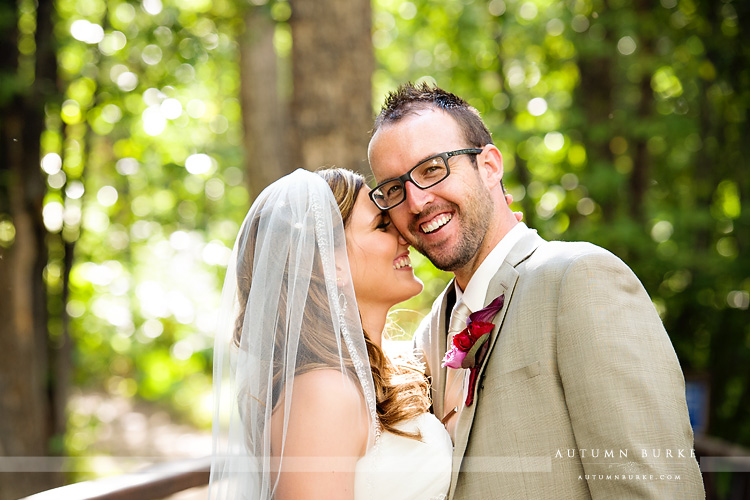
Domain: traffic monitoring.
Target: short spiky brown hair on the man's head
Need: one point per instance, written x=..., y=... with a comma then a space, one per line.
x=410, y=97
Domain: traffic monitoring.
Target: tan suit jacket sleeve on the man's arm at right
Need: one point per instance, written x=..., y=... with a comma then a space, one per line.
x=623, y=385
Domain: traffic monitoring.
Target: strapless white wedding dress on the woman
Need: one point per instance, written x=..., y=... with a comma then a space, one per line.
x=401, y=468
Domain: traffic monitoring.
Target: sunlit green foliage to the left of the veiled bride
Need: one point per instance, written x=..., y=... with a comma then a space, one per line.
x=146, y=181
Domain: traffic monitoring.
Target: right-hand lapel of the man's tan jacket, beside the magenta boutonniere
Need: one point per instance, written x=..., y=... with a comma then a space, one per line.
x=503, y=282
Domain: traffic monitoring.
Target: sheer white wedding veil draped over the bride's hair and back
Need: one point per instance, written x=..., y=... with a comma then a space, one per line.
x=288, y=307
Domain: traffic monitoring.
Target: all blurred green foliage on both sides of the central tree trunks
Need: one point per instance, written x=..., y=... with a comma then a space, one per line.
x=621, y=125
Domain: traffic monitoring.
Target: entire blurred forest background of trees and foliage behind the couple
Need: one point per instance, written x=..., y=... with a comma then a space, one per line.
x=135, y=134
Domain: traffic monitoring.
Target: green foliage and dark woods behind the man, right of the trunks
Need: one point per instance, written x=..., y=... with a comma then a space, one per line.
x=620, y=124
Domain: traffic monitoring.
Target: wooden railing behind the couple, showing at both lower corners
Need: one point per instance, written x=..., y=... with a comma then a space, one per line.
x=161, y=481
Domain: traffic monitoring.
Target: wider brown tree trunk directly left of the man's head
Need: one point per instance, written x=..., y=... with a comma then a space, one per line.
x=332, y=58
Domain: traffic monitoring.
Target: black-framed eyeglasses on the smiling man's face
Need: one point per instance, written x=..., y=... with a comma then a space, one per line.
x=426, y=174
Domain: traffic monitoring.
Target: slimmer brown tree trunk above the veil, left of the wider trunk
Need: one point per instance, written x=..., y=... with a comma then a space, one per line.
x=263, y=114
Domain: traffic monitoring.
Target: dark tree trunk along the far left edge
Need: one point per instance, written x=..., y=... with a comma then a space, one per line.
x=26, y=424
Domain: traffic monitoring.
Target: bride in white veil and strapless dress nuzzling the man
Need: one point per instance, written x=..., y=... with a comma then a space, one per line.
x=308, y=405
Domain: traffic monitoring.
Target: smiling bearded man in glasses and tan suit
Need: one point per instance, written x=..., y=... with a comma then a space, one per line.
x=579, y=393
